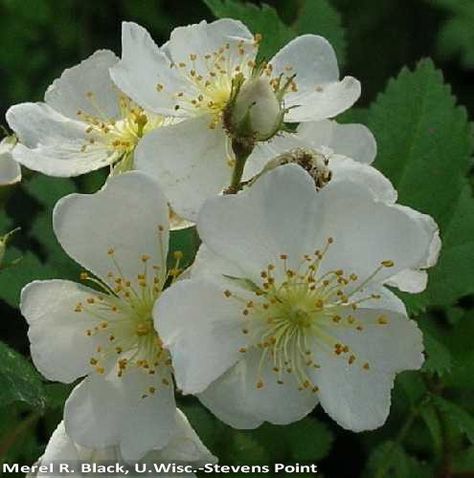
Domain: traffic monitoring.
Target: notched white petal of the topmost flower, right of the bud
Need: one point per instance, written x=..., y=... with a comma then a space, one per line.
x=320, y=94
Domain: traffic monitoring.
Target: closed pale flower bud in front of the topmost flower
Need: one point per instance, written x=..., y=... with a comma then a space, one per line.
x=256, y=111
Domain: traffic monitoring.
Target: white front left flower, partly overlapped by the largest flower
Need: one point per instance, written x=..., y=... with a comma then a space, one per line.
x=106, y=333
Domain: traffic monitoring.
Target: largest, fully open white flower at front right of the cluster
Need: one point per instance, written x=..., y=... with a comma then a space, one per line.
x=287, y=305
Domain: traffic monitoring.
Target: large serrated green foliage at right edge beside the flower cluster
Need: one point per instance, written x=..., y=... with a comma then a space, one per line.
x=424, y=146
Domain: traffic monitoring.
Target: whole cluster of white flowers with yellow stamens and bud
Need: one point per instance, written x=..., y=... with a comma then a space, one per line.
x=287, y=303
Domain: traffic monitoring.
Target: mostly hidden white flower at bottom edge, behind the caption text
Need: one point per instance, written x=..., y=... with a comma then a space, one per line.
x=184, y=448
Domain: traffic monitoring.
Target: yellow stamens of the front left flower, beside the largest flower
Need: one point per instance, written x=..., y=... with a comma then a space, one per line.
x=124, y=329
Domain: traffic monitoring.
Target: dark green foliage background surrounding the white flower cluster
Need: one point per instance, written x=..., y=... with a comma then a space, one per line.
x=425, y=148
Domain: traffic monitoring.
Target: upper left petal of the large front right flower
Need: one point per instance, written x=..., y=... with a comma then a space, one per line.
x=278, y=215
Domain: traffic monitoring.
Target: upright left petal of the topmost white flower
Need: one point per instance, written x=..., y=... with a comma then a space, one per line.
x=142, y=67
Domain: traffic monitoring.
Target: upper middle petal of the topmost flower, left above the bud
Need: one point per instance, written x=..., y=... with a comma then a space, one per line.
x=204, y=38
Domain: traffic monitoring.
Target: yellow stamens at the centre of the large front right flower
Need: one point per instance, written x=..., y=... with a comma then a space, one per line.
x=296, y=311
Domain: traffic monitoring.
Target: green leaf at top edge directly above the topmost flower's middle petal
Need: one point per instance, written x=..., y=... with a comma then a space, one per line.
x=263, y=20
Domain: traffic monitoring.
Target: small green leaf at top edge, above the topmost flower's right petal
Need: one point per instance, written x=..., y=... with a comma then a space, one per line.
x=321, y=18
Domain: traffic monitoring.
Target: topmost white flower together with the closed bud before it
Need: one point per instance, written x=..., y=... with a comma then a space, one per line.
x=202, y=75
